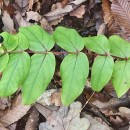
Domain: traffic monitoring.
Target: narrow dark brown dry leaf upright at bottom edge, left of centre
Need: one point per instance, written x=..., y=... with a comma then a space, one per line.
x=31, y=124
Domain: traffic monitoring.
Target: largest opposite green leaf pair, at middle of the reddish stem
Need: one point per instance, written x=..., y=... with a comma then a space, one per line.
x=74, y=68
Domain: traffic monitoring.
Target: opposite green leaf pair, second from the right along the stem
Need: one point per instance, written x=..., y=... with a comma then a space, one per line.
x=102, y=68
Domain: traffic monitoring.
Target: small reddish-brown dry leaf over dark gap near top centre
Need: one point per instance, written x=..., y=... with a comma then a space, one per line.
x=79, y=12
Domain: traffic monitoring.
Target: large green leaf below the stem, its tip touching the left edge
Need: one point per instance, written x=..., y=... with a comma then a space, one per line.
x=14, y=73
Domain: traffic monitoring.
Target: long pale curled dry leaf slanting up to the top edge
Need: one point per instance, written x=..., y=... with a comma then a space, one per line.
x=60, y=12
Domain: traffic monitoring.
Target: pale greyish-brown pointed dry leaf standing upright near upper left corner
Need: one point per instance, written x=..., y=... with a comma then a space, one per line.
x=8, y=22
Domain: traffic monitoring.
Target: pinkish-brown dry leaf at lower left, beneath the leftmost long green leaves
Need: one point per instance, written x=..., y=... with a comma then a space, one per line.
x=14, y=113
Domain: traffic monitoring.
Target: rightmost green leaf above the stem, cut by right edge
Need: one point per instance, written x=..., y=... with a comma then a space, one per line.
x=119, y=47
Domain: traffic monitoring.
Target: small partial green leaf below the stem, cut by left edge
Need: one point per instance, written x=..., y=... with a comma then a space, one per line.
x=3, y=61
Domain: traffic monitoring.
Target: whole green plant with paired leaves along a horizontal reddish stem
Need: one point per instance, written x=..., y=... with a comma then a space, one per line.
x=34, y=73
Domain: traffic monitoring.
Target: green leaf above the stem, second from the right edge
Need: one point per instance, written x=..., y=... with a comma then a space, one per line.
x=98, y=44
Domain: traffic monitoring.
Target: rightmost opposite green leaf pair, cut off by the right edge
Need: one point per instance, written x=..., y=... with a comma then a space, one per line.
x=121, y=72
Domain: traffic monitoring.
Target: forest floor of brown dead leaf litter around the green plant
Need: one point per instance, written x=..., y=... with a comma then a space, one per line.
x=103, y=111
